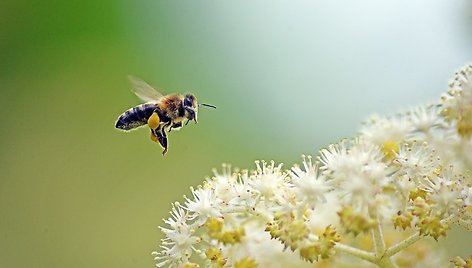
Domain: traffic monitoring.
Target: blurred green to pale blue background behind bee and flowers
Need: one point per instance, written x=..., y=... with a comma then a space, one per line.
x=288, y=77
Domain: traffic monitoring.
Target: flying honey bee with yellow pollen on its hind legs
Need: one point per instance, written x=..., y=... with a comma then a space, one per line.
x=161, y=113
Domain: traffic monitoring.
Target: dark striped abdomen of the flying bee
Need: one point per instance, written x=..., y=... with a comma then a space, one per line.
x=136, y=116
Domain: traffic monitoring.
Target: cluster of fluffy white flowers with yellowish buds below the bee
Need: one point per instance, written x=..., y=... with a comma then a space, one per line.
x=403, y=175
